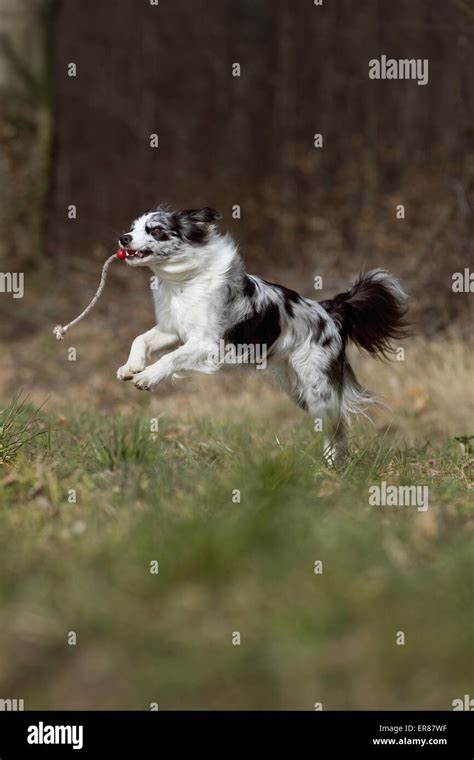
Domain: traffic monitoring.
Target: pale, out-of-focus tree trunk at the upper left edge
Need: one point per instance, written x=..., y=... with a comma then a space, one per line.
x=25, y=126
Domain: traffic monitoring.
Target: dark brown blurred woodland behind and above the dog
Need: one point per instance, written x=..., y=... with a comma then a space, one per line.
x=166, y=69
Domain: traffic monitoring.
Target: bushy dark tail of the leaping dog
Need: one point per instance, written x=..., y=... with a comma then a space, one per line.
x=372, y=313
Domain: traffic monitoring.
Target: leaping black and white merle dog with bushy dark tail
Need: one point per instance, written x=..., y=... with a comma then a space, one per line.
x=205, y=299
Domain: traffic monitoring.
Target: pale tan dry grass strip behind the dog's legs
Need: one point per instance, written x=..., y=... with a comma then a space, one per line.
x=427, y=395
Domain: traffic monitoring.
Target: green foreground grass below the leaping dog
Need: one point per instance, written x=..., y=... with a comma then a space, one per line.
x=236, y=513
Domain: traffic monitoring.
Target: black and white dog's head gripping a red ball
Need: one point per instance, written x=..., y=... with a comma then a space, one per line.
x=162, y=234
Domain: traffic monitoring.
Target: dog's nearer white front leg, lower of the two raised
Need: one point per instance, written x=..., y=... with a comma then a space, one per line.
x=196, y=355
